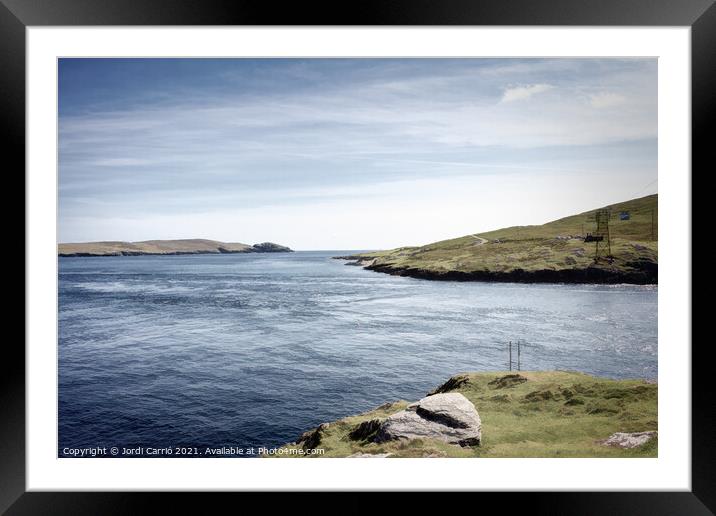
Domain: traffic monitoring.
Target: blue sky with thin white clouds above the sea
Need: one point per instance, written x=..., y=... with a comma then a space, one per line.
x=347, y=154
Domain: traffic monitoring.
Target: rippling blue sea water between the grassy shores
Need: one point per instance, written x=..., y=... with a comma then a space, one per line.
x=253, y=349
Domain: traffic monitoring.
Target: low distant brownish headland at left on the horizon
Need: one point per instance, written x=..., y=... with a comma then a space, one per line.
x=165, y=247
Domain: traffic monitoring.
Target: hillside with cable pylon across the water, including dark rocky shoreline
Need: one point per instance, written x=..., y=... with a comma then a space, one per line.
x=556, y=249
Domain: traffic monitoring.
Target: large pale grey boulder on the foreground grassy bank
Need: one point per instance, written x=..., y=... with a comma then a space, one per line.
x=449, y=417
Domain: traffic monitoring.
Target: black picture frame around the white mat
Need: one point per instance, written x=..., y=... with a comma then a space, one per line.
x=17, y=15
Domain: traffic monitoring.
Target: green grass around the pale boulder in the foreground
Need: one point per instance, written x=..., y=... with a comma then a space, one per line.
x=552, y=414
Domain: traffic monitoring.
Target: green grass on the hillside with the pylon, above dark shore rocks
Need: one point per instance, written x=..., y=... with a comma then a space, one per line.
x=535, y=248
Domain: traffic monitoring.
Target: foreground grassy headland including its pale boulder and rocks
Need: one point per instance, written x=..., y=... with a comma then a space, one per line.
x=508, y=414
